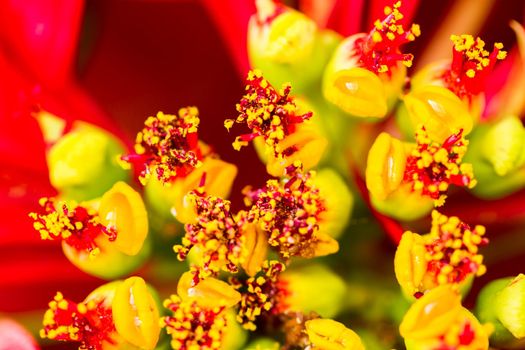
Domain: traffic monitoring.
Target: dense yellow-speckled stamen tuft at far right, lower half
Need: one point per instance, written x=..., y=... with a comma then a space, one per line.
x=452, y=249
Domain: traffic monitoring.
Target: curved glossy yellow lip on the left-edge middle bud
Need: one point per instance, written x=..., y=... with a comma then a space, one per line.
x=122, y=208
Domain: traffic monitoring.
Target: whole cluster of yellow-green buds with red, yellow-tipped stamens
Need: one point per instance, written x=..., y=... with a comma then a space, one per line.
x=240, y=272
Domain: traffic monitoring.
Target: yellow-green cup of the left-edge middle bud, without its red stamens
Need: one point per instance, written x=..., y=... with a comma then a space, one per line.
x=122, y=209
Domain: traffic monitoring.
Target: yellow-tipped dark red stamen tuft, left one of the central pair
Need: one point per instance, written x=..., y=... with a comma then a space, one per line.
x=217, y=233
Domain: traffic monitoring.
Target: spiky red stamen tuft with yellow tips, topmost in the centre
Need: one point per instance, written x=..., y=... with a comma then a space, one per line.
x=267, y=112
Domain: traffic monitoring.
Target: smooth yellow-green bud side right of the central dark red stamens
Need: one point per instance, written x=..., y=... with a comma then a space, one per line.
x=338, y=201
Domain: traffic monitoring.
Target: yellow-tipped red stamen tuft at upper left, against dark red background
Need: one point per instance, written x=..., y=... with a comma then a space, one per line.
x=168, y=145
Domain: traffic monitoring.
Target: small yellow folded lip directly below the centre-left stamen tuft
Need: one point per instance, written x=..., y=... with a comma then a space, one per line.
x=210, y=292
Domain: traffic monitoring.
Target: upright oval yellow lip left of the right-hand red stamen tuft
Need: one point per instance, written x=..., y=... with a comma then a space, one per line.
x=385, y=166
